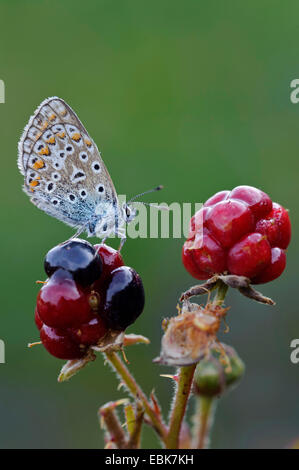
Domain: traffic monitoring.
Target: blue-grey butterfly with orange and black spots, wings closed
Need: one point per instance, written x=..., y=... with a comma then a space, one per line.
x=65, y=176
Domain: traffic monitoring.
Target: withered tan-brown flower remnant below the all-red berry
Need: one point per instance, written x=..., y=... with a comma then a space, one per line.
x=189, y=335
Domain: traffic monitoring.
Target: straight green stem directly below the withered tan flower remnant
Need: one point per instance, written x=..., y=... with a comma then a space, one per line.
x=179, y=406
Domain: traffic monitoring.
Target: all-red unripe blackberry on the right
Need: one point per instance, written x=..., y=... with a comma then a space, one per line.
x=238, y=232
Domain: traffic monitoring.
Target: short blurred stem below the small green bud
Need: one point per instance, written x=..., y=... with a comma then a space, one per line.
x=203, y=420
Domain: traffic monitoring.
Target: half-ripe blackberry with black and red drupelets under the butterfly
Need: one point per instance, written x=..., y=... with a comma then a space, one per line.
x=89, y=291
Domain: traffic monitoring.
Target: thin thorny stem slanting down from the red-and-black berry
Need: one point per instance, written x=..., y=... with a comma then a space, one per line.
x=137, y=392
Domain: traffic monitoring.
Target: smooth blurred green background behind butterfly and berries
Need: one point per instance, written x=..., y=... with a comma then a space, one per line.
x=194, y=95
